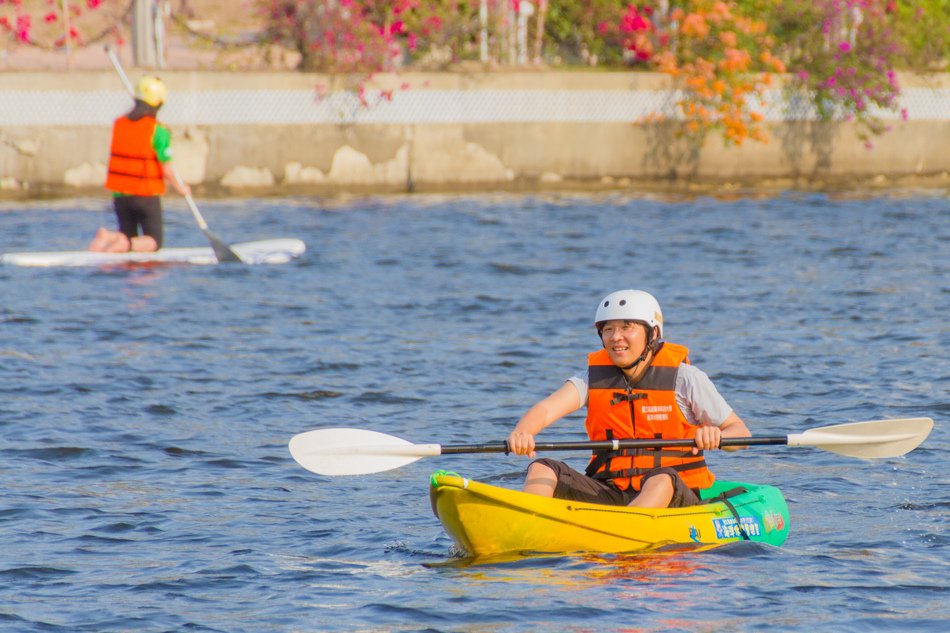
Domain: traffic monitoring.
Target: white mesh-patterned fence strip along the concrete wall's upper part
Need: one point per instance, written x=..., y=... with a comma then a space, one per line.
x=414, y=106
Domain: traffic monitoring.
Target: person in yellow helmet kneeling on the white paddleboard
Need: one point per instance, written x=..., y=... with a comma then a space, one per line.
x=138, y=168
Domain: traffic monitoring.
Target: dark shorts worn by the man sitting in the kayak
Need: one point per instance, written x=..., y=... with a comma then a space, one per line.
x=575, y=486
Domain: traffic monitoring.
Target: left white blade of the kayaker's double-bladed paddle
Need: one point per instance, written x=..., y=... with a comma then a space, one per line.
x=342, y=451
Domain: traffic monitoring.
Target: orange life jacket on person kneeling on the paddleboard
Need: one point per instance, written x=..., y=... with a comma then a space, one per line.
x=134, y=168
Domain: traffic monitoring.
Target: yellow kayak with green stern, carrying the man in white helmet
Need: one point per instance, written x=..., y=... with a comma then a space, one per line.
x=486, y=520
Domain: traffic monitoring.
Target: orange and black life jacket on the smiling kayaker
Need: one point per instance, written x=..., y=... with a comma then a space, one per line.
x=646, y=410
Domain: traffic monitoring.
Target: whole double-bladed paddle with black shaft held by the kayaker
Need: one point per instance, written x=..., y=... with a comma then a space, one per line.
x=345, y=451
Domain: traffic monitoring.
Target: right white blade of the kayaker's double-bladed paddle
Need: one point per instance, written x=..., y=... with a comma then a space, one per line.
x=877, y=438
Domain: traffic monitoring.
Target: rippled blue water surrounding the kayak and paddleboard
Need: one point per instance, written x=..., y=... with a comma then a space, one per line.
x=145, y=413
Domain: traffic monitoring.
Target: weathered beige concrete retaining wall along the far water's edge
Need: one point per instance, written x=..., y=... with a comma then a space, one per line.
x=261, y=134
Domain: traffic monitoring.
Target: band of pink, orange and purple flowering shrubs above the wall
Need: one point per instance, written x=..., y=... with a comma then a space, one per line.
x=841, y=56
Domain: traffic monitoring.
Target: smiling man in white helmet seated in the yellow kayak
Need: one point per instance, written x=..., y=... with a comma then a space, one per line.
x=637, y=386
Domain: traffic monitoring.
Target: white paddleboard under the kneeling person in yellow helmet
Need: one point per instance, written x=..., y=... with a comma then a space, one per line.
x=279, y=251
